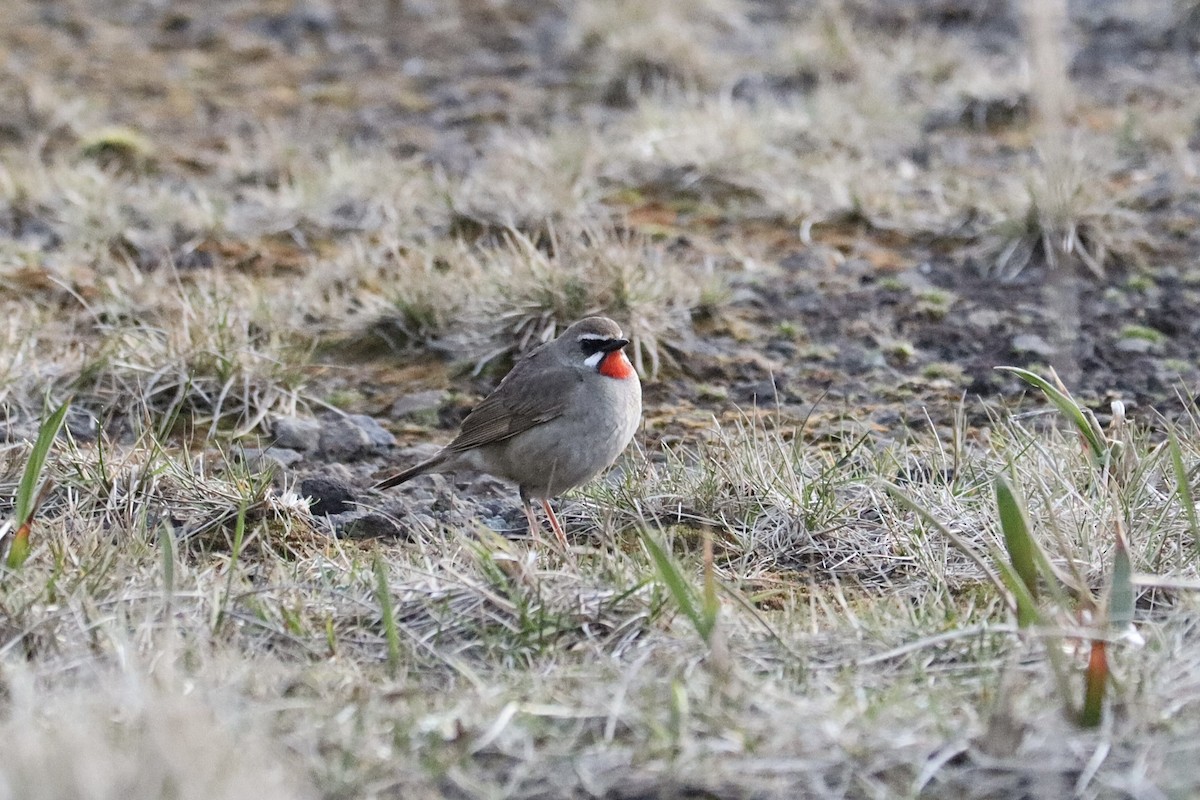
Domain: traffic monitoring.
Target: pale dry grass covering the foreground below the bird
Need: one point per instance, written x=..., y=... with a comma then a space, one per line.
x=508, y=664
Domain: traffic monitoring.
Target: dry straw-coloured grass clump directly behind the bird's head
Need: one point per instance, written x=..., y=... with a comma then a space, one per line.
x=493, y=302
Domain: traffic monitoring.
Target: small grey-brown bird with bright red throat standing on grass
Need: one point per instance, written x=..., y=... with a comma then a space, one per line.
x=563, y=414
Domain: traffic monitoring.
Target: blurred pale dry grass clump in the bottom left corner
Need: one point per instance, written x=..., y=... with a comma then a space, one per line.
x=129, y=736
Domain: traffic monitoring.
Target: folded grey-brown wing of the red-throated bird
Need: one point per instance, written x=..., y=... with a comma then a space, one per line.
x=519, y=404
